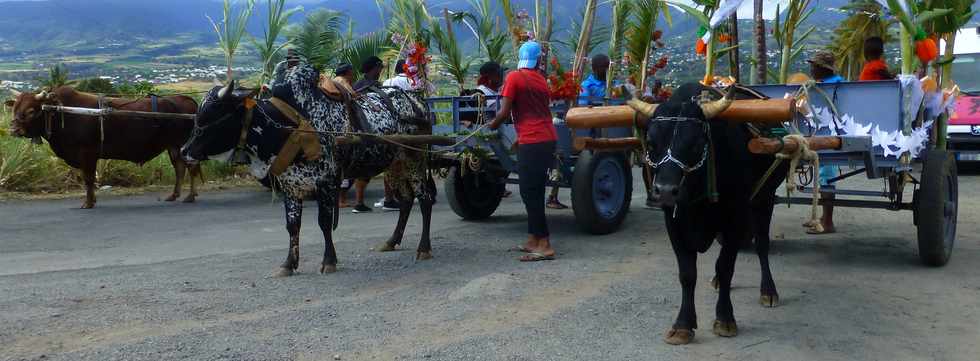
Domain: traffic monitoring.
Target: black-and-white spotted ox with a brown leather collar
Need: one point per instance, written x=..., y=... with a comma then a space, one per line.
x=391, y=111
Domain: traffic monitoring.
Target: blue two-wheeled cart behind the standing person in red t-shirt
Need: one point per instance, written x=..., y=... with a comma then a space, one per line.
x=601, y=183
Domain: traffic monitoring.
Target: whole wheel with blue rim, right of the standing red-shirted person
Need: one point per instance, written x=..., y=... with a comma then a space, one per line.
x=602, y=188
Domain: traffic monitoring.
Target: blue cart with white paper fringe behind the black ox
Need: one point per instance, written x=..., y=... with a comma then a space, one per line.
x=889, y=107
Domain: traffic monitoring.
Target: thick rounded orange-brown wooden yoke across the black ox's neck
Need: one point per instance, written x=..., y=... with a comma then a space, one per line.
x=761, y=111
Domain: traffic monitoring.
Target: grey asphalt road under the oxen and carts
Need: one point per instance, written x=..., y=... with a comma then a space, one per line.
x=138, y=279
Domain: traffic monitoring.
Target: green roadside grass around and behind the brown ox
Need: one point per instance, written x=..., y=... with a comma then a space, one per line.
x=33, y=168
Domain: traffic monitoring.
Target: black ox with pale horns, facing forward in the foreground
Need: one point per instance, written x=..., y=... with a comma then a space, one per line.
x=704, y=177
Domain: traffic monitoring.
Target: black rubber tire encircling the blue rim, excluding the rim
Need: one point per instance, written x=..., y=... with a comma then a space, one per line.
x=587, y=216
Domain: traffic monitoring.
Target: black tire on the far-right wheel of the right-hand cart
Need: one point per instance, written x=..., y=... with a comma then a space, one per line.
x=936, y=234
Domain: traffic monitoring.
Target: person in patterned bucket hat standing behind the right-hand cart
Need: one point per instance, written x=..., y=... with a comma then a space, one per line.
x=823, y=71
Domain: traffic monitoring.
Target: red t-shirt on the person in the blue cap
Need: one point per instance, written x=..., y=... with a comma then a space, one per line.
x=528, y=91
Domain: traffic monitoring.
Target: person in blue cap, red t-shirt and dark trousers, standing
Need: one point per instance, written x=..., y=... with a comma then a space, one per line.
x=525, y=99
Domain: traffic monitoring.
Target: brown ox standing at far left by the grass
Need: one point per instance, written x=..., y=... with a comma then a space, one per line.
x=82, y=140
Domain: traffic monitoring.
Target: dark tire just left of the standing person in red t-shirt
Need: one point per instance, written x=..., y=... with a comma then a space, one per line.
x=470, y=201
